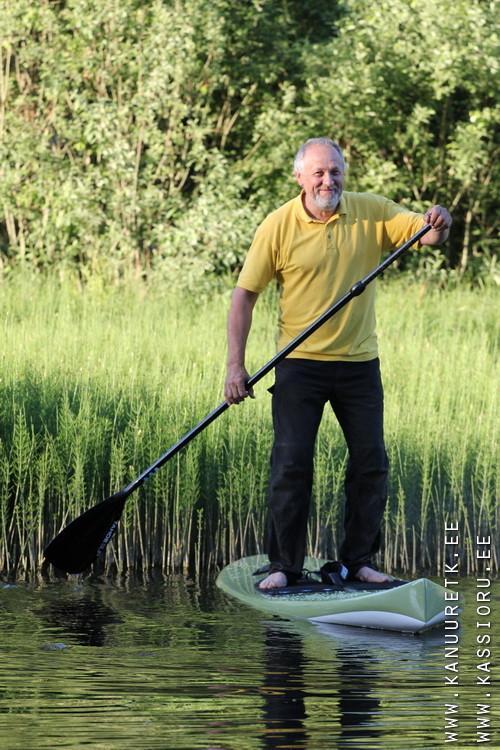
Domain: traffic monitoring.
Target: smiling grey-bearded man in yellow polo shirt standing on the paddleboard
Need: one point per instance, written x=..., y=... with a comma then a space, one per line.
x=317, y=246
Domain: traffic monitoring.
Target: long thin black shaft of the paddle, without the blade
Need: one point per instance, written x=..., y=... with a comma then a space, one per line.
x=357, y=289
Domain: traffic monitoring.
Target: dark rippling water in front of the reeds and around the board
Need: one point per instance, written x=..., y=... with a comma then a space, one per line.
x=104, y=665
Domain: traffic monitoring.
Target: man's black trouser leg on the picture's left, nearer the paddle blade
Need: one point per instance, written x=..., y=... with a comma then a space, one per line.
x=297, y=410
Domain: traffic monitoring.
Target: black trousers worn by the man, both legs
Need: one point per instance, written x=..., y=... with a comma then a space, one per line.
x=301, y=390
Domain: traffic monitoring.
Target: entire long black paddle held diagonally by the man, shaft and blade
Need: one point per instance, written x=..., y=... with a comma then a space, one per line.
x=75, y=548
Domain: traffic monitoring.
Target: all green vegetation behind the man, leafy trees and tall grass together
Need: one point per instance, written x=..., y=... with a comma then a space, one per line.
x=140, y=145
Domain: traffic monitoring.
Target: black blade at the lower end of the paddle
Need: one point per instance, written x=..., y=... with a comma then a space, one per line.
x=79, y=543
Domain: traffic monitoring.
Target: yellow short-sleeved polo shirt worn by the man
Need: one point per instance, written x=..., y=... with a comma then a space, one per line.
x=316, y=262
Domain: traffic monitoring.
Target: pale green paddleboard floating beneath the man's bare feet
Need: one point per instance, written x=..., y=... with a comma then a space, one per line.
x=411, y=607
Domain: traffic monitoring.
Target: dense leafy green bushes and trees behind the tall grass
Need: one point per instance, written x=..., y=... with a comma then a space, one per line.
x=153, y=136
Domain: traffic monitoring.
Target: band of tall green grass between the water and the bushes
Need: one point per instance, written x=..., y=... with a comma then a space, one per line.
x=96, y=384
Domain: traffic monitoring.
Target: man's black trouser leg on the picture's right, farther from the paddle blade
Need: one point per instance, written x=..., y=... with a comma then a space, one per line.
x=358, y=406
